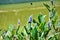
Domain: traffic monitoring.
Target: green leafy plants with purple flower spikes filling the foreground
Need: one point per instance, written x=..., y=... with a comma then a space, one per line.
x=34, y=30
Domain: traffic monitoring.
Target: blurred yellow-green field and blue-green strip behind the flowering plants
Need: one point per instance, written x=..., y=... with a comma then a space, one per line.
x=12, y=10
